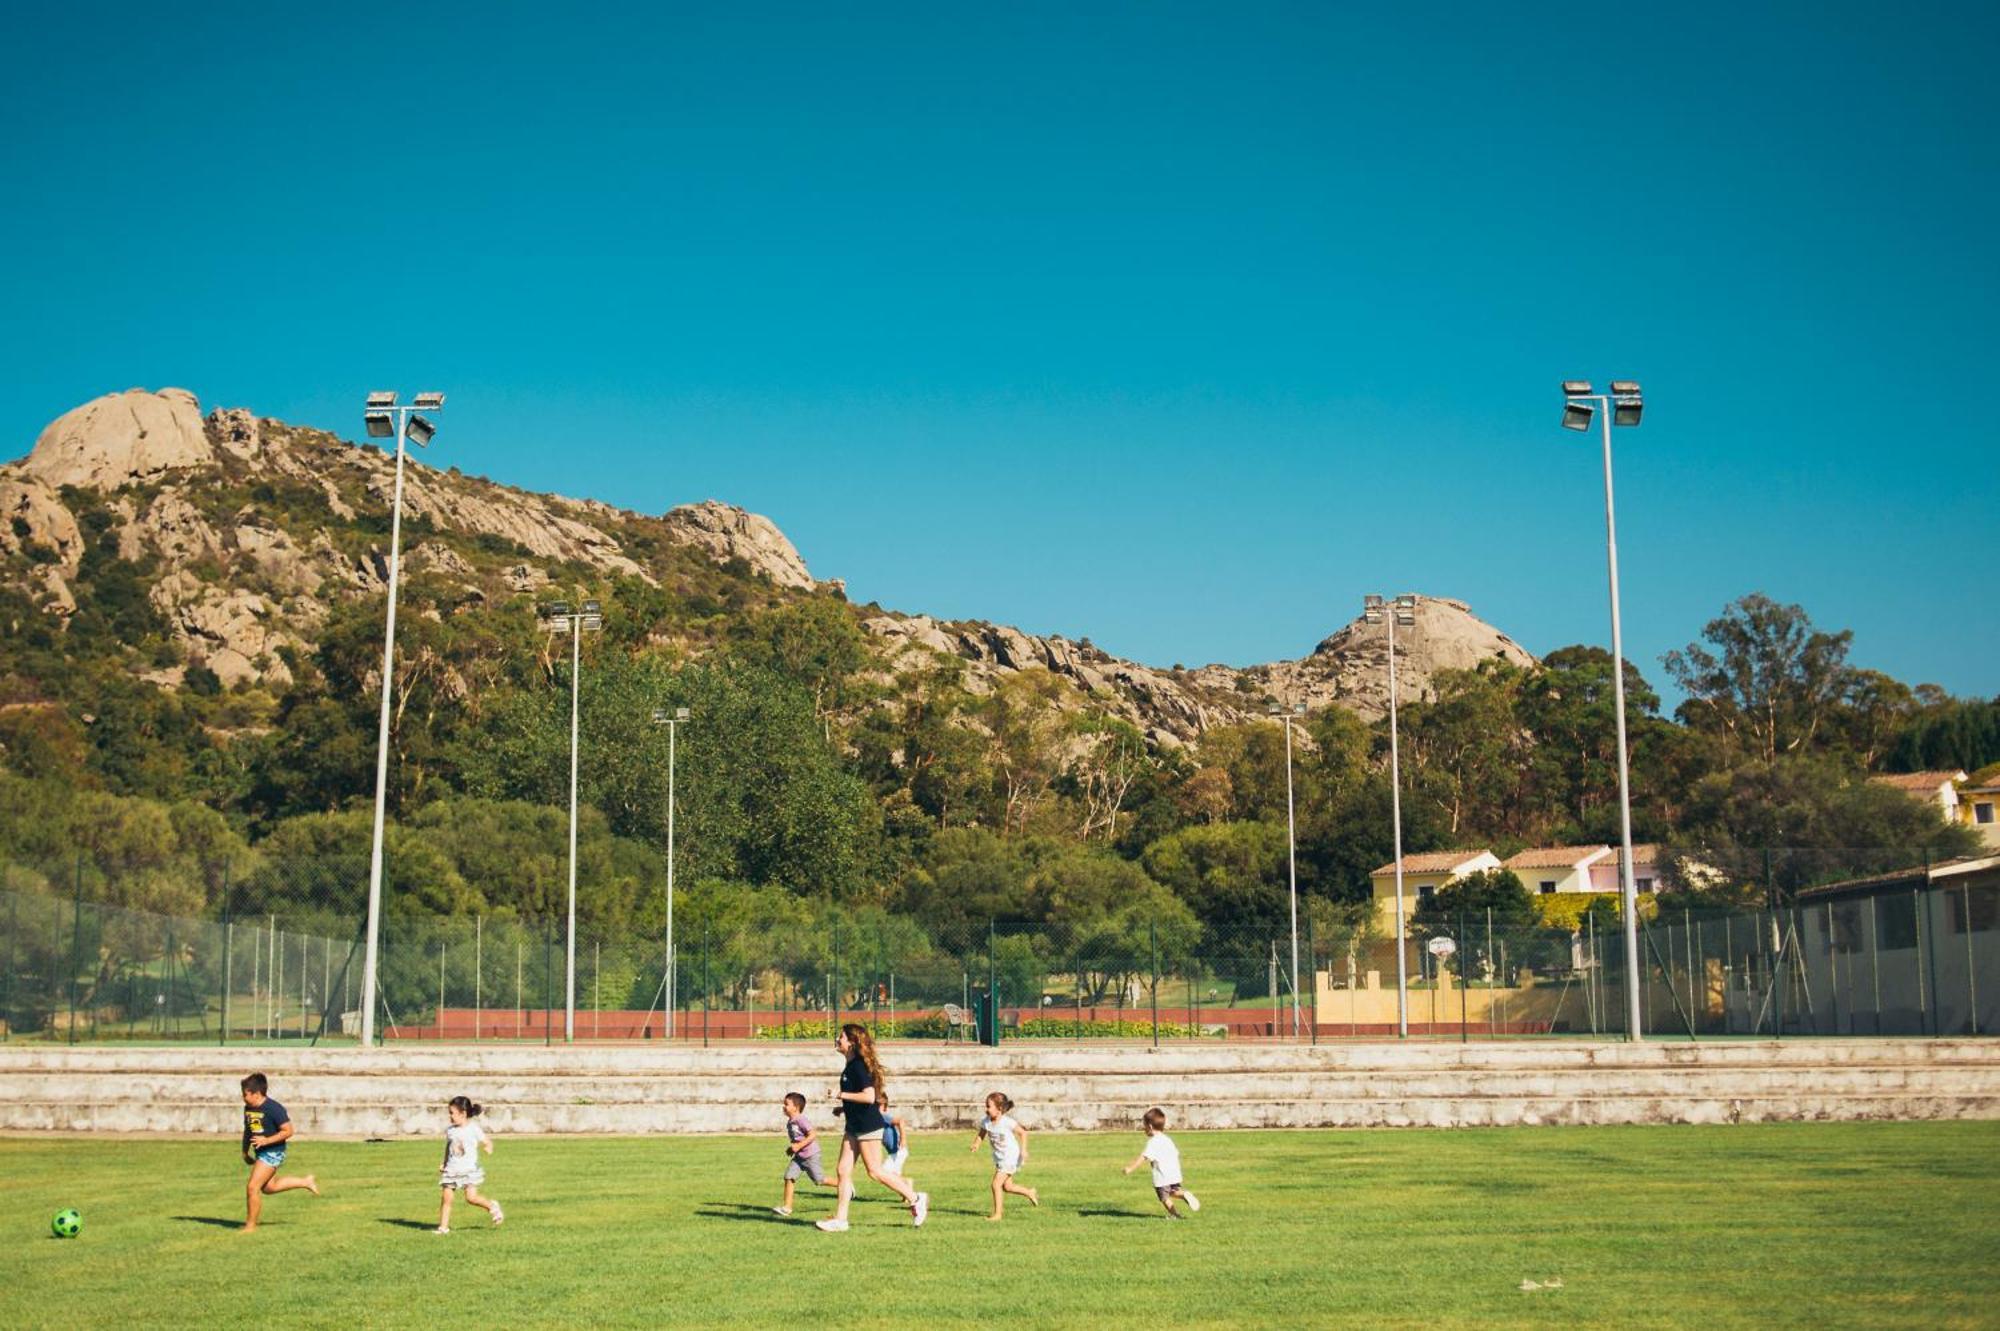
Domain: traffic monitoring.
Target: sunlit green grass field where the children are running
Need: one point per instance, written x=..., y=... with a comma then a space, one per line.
x=1849, y=1224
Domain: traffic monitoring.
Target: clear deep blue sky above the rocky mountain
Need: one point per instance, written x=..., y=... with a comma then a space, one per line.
x=1179, y=327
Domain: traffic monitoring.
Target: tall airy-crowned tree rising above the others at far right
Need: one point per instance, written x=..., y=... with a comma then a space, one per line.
x=1769, y=678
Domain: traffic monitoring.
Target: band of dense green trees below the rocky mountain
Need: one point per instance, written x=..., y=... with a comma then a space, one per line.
x=807, y=774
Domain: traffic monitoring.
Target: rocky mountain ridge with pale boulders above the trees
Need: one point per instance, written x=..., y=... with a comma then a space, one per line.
x=251, y=531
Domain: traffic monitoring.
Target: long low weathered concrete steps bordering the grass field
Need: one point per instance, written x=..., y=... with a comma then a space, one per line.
x=687, y=1090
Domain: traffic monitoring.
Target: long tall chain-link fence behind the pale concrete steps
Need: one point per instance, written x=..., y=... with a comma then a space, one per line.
x=1761, y=944
